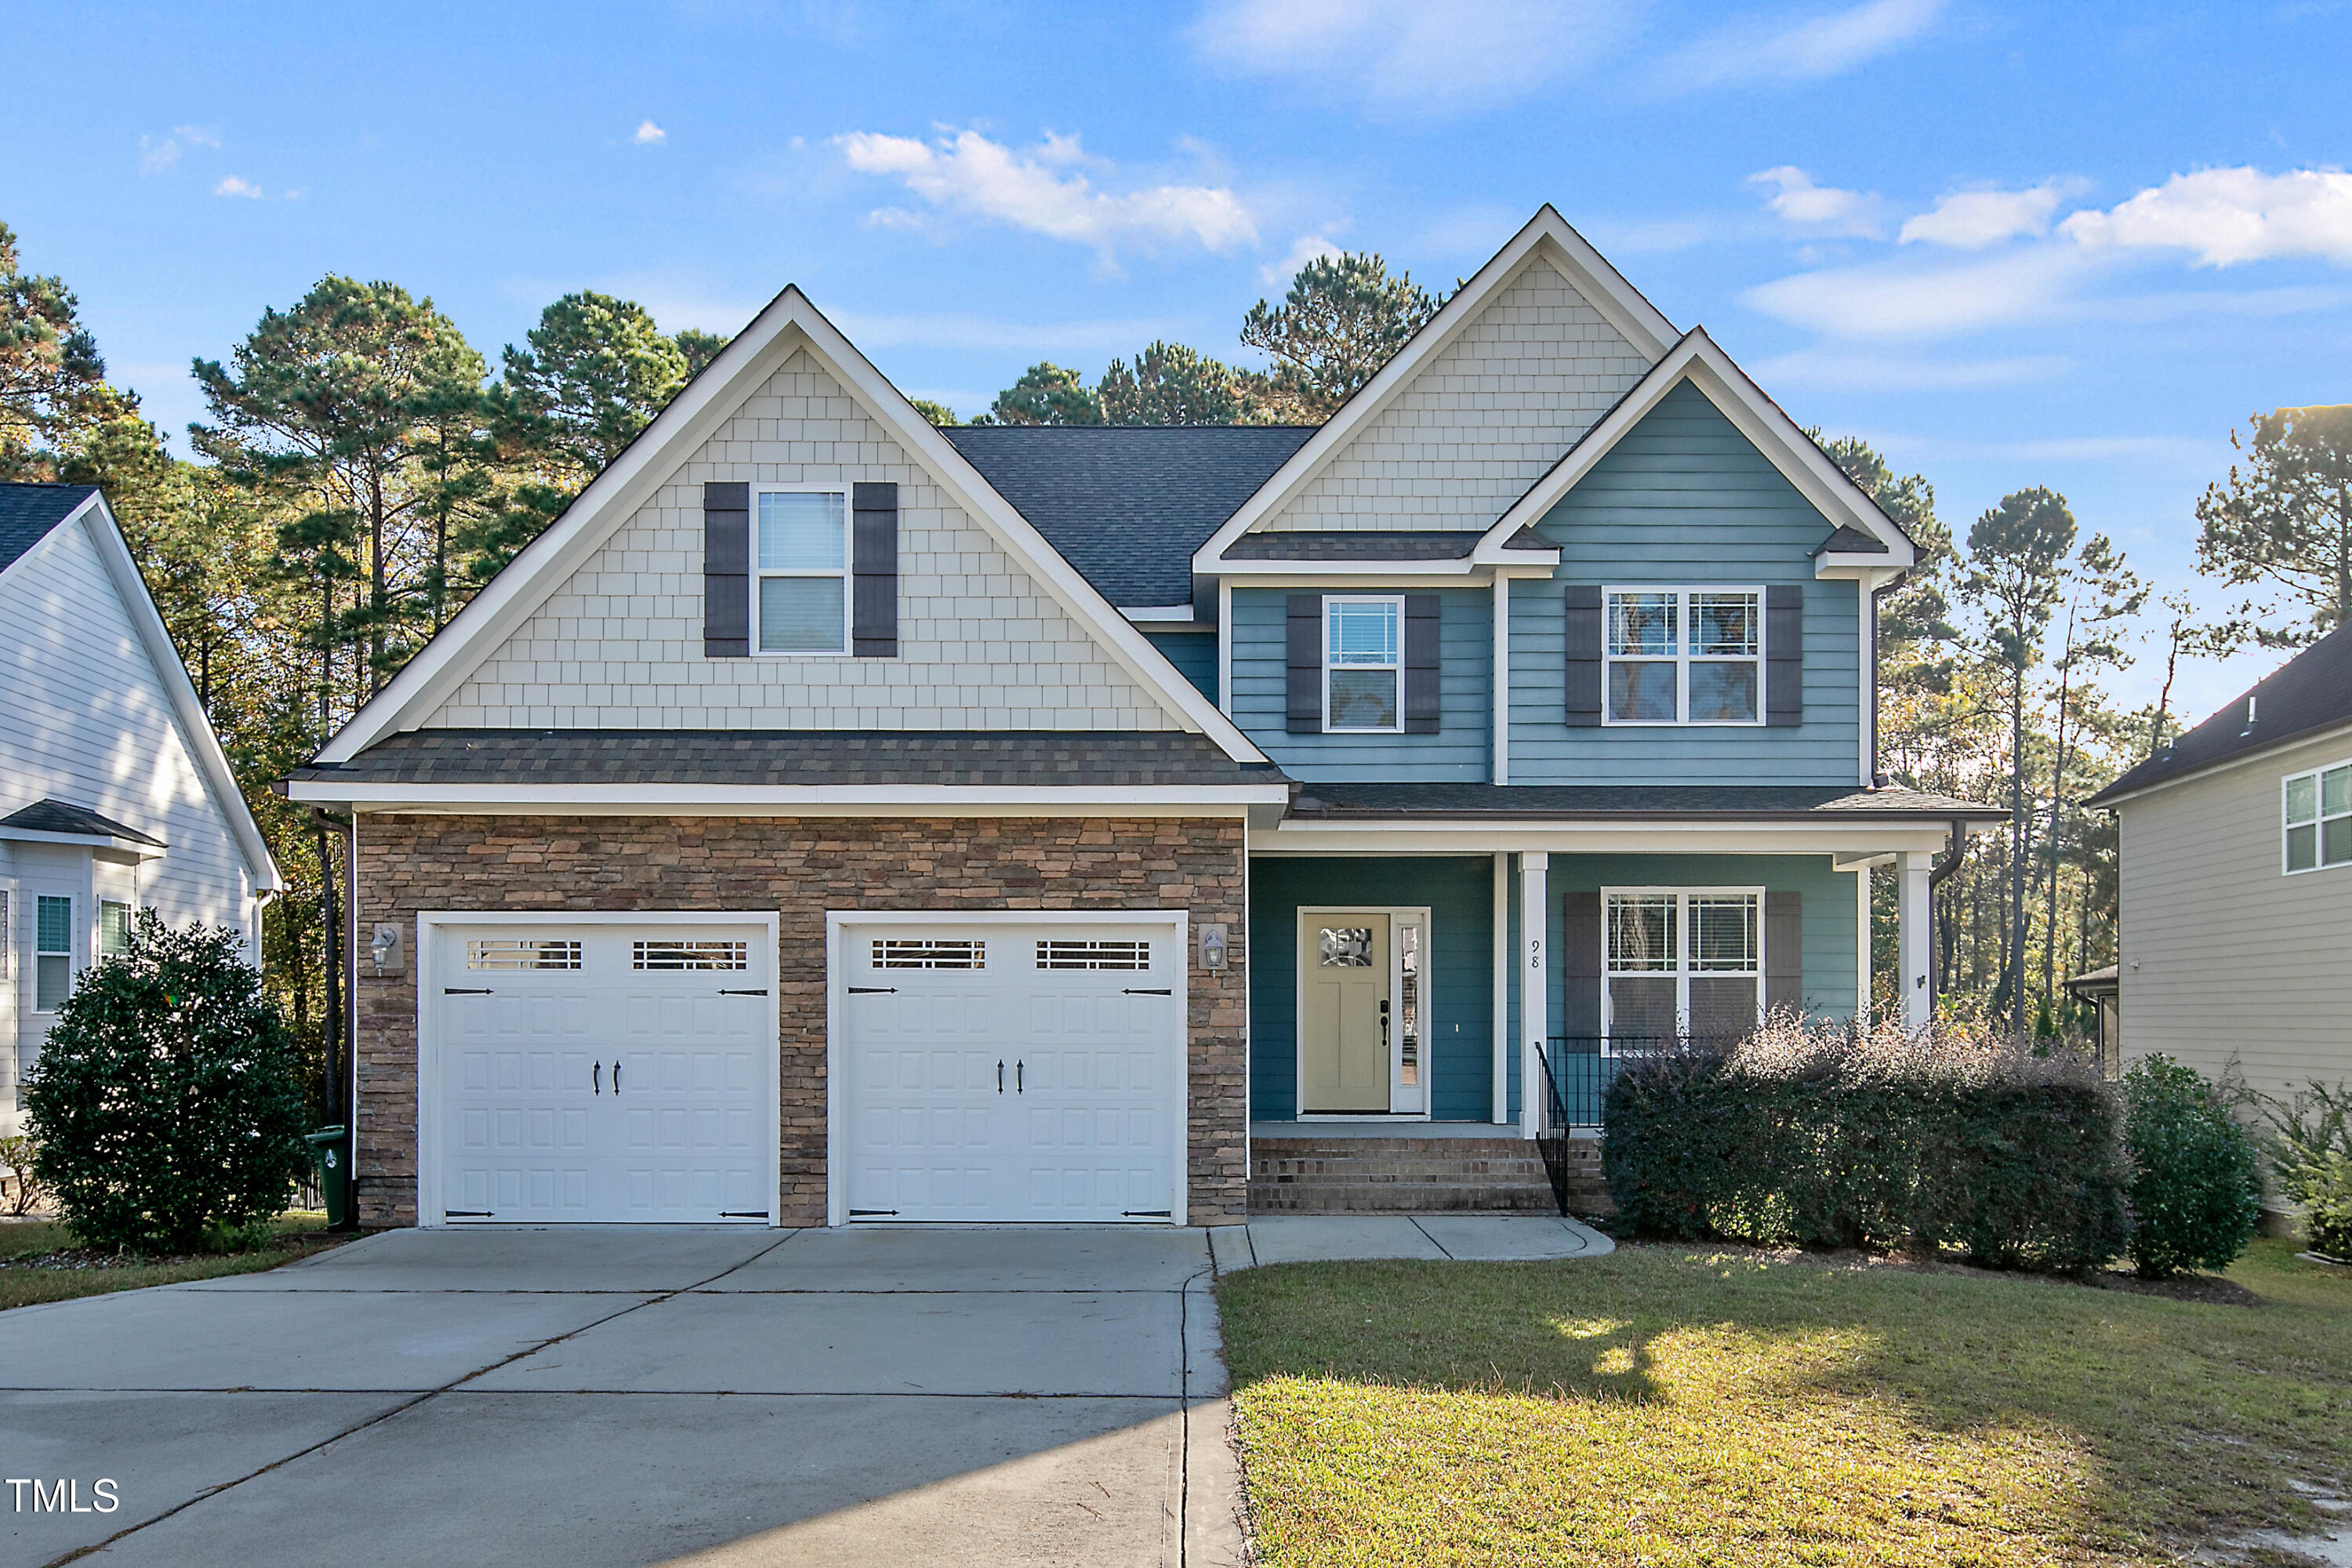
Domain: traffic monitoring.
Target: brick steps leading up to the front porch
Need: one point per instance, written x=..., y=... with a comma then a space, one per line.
x=1311, y=1174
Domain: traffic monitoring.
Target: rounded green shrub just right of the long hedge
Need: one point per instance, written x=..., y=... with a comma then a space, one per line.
x=2196, y=1179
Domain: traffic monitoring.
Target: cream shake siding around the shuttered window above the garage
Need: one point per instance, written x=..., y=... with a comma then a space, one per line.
x=622, y=643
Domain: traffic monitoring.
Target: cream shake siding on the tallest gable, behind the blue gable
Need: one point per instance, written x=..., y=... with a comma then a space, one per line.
x=1483, y=420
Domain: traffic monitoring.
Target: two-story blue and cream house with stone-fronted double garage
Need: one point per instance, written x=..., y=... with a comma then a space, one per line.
x=843, y=819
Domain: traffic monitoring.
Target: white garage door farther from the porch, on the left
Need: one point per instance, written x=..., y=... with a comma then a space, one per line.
x=606, y=1073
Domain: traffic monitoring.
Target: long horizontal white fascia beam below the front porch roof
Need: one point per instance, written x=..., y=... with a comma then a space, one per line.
x=1633, y=836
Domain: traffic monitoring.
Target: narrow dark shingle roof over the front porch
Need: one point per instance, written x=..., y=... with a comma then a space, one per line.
x=1558, y=803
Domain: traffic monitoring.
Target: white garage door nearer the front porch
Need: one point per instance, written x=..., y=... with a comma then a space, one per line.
x=1013, y=1071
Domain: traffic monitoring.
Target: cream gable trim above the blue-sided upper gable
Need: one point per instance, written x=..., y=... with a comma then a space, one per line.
x=1862, y=532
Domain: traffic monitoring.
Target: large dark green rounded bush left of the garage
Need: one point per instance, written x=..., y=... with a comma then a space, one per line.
x=166, y=1101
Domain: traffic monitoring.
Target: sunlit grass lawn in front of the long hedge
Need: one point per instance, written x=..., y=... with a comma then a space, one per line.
x=1685, y=1405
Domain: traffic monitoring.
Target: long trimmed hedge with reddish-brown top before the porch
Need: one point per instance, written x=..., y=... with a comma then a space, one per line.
x=1819, y=1137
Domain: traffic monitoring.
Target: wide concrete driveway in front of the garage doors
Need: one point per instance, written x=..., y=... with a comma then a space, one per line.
x=639, y=1398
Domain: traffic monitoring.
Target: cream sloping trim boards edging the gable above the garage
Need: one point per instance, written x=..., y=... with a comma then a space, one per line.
x=789, y=323
